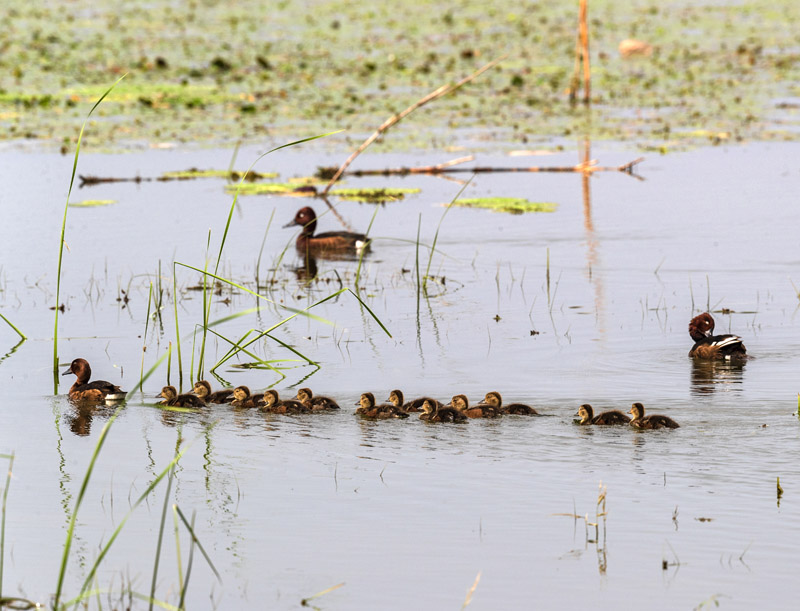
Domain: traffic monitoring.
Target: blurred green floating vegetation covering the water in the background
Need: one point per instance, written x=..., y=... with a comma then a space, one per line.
x=215, y=74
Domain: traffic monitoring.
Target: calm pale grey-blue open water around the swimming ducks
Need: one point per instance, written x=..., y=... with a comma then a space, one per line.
x=406, y=514
